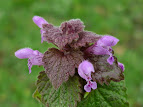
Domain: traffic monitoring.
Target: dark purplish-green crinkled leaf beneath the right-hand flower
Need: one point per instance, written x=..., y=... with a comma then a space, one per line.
x=104, y=72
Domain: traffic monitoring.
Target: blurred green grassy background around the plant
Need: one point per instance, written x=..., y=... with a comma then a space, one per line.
x=120, y=18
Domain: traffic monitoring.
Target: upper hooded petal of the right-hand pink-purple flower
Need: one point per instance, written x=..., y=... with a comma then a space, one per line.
x=107, y=41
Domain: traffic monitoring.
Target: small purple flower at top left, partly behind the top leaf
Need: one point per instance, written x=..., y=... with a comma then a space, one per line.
x=39, y=21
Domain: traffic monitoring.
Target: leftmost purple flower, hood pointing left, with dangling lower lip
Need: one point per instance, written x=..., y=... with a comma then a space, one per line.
x=34, y=56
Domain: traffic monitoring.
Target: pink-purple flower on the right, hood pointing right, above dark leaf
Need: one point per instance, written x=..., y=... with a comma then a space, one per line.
x=103, y=47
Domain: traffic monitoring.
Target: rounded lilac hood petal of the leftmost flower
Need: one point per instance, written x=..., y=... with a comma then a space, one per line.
x=24, y=53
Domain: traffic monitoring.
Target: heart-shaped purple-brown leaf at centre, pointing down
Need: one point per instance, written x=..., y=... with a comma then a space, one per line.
x=60, y=65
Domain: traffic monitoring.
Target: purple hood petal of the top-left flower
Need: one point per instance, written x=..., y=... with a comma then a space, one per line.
x=39, y=21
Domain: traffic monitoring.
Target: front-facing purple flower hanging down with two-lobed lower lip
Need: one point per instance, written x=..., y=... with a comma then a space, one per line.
x=84, y=70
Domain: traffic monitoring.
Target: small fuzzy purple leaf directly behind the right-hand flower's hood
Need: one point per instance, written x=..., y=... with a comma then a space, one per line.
x=85, y=38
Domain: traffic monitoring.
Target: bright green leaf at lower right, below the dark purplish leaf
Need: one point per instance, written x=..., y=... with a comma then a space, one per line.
x=113, y=95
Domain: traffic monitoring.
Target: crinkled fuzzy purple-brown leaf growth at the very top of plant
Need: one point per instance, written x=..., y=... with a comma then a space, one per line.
x=61, y=36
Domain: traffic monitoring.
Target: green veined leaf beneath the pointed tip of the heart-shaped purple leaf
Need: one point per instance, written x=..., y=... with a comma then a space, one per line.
x=67, y=95
